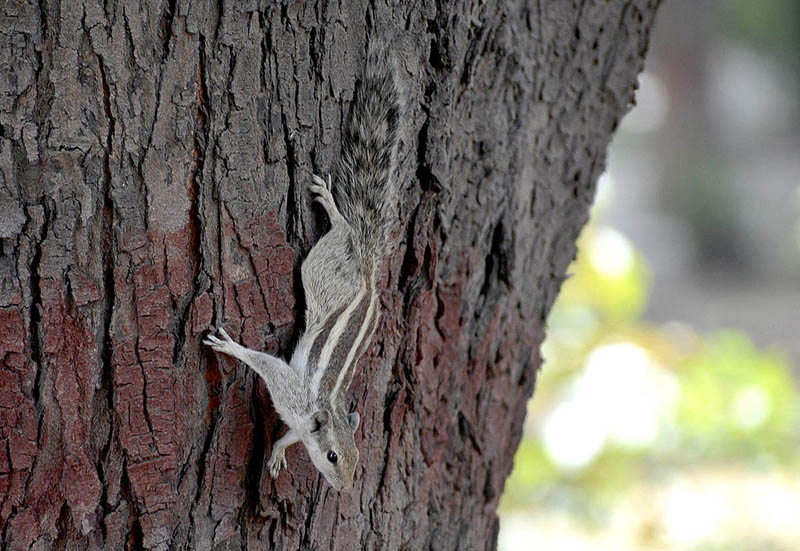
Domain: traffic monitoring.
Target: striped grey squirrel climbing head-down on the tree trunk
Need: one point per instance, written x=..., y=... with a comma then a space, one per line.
x=339, y=279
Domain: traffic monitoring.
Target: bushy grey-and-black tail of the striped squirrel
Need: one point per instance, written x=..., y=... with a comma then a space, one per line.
x=365, y=188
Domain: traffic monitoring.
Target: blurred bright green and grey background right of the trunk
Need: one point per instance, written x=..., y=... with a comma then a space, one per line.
x=667, y=412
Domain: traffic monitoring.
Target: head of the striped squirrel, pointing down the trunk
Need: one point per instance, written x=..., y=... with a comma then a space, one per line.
x=332, y=447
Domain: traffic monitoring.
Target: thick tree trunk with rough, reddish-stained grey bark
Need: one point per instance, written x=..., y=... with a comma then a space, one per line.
x=153, y=163
